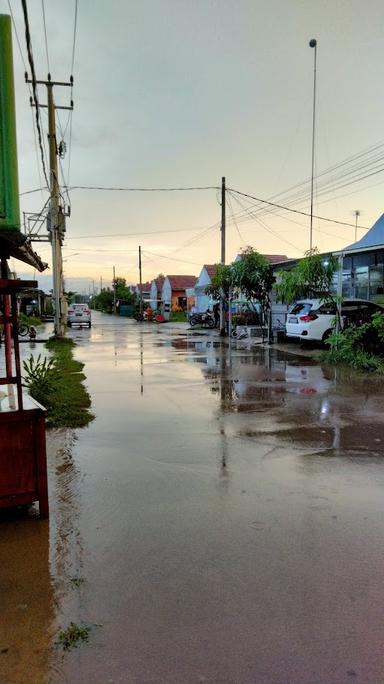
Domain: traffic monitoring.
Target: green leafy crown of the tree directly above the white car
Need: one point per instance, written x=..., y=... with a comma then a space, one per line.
x=312, y=277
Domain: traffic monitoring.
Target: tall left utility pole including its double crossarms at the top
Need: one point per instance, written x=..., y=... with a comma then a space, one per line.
x=56, y=213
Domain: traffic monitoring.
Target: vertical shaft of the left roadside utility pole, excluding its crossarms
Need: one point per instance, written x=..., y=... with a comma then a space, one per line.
x=57, y=266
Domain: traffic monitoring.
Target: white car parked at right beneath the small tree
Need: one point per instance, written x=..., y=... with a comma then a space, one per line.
x=312, y=319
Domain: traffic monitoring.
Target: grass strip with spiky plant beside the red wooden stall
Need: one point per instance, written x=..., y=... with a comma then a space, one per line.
x=58, y=386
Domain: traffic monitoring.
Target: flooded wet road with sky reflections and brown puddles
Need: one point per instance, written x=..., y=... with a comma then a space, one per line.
x=220, y=521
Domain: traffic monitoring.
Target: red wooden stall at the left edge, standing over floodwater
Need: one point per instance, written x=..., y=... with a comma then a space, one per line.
x=23, y=465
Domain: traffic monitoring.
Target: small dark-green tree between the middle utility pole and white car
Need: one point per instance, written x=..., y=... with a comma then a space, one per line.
x=252, y=275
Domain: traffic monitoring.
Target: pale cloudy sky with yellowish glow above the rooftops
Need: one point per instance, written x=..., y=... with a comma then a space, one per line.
x=178, y=93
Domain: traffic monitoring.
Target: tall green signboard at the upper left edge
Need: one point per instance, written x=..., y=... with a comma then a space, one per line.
x=9, y=185
